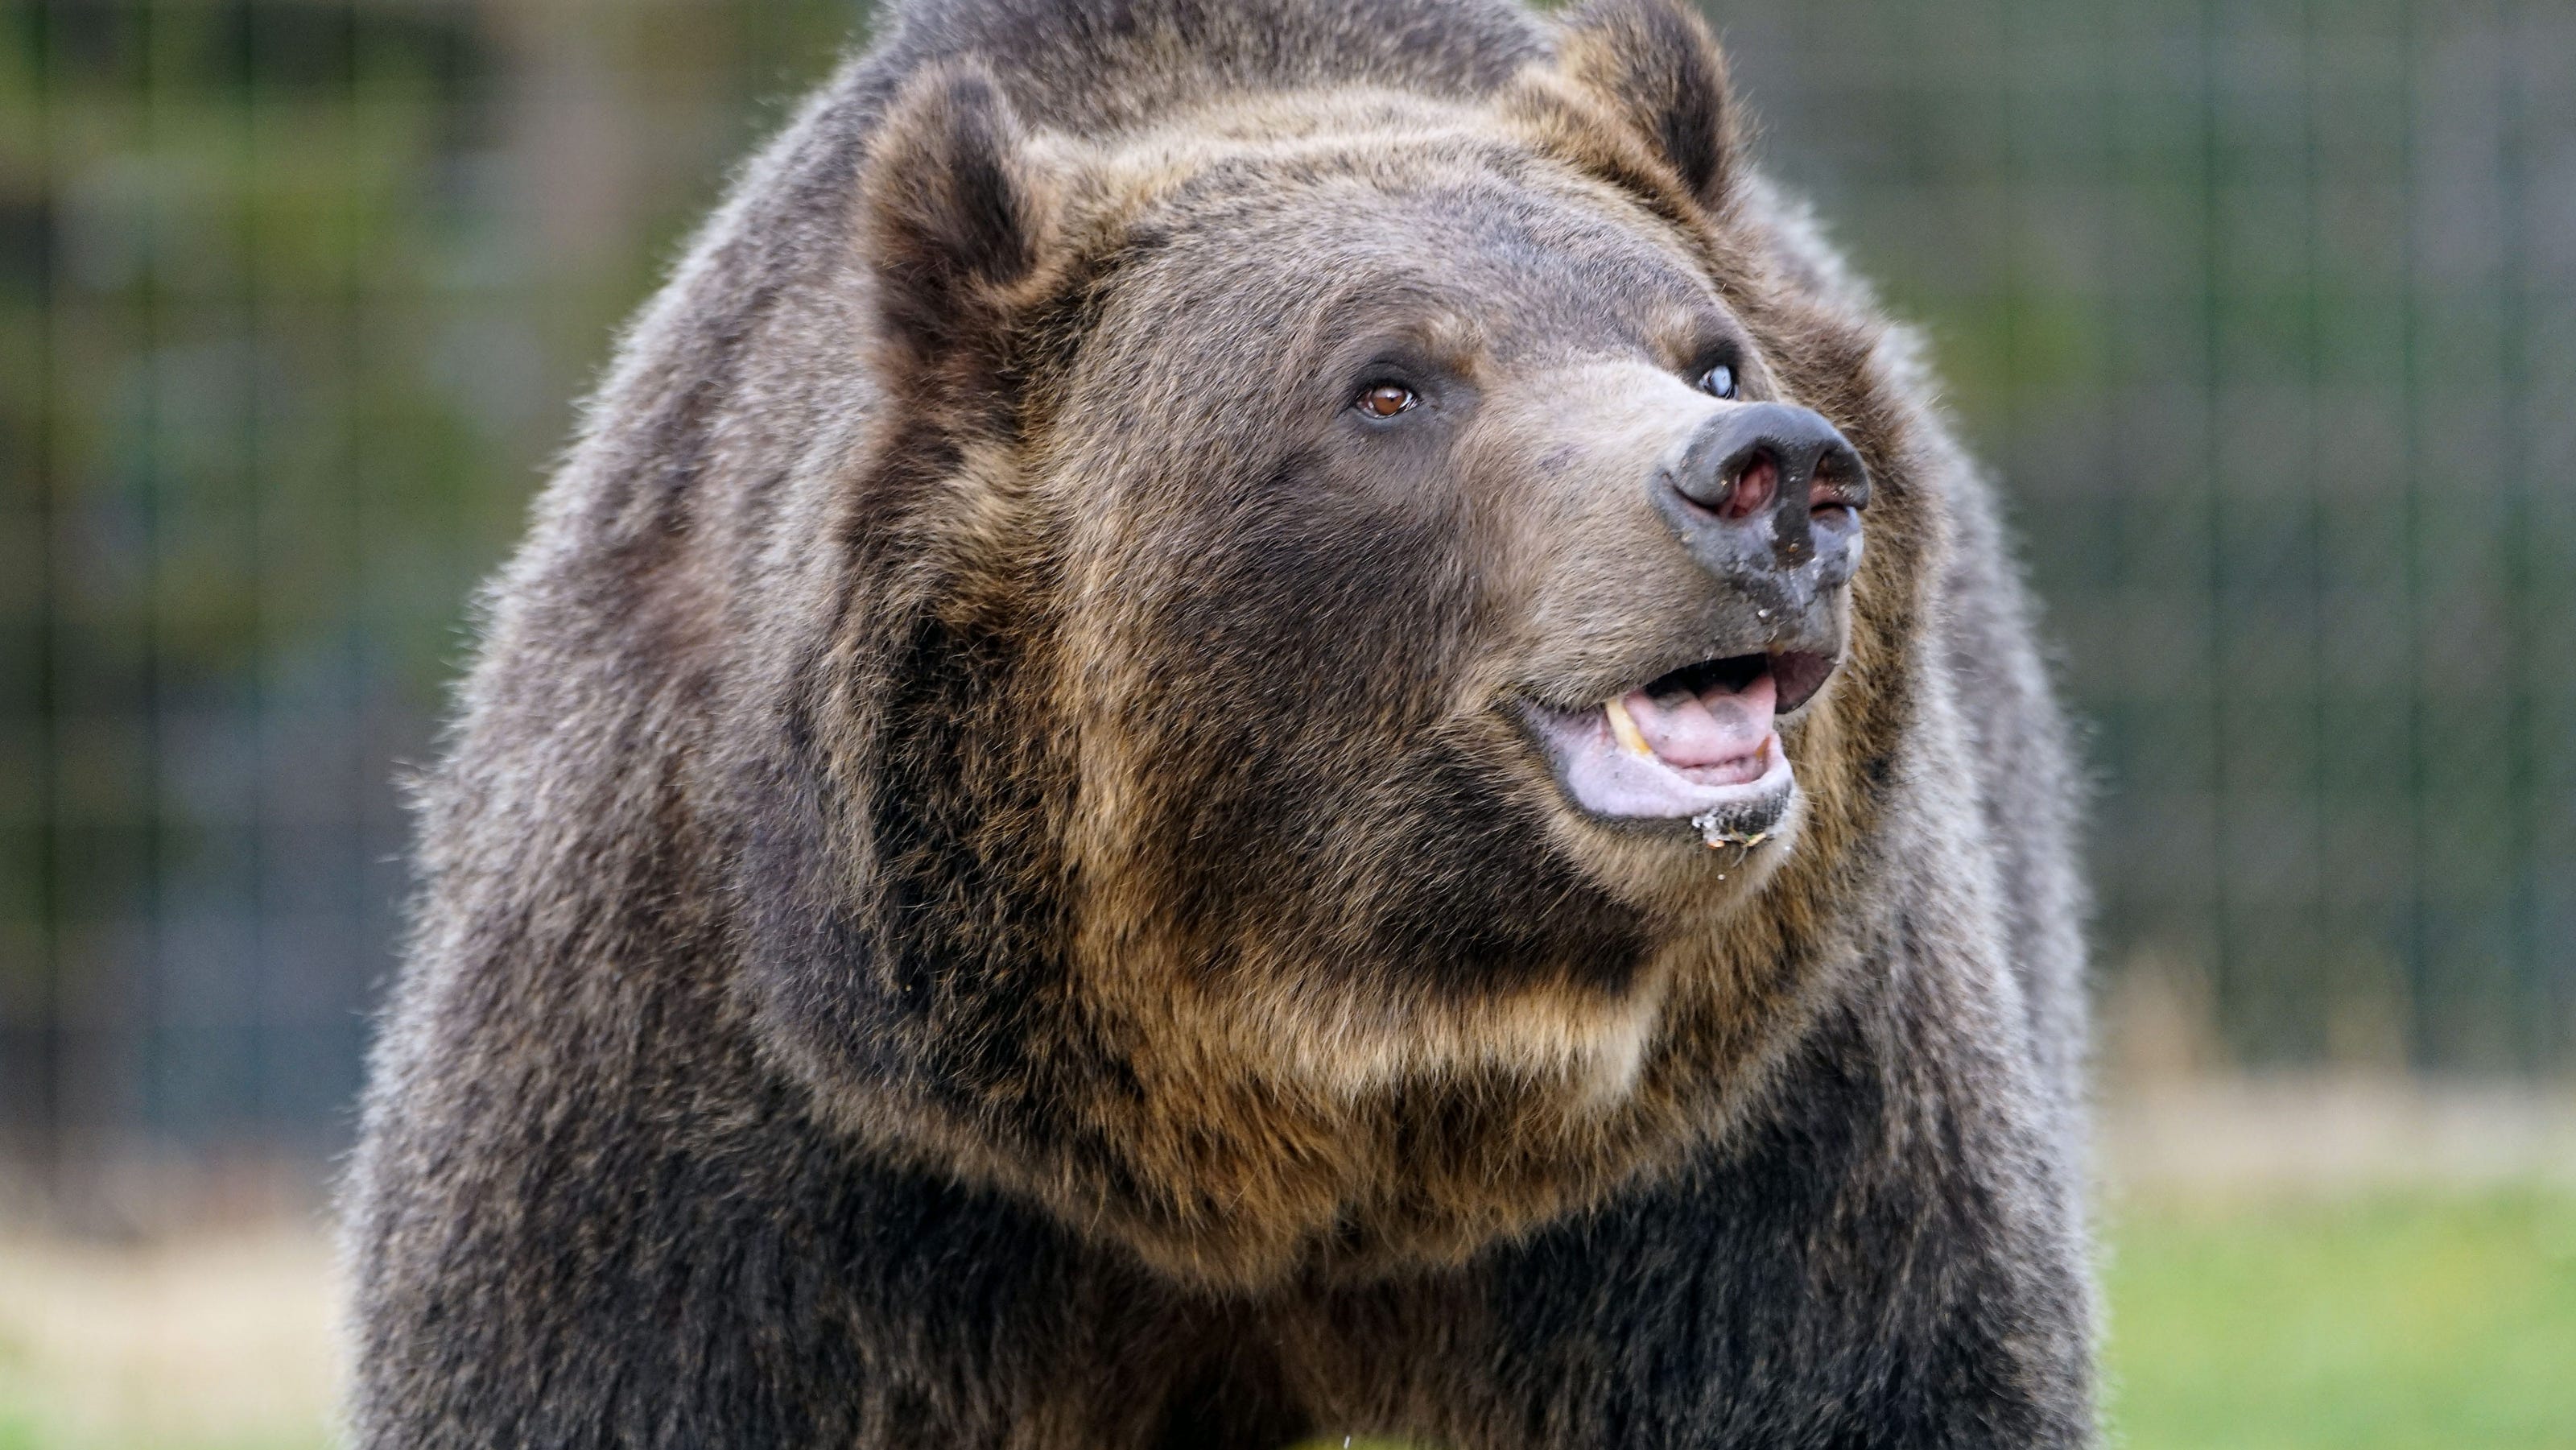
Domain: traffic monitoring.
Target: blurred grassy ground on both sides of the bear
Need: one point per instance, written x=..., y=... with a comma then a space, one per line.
x=2389, y=1323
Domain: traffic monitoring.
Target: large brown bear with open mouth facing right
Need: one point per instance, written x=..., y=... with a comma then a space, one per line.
x=1245, y=720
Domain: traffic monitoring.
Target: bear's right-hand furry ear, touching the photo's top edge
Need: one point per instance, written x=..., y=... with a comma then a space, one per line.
x=1658, y=68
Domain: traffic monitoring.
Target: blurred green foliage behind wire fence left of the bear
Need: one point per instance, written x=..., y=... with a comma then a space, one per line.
x=298, y=300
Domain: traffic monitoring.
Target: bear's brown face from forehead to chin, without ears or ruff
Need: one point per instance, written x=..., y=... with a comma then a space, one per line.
x=1416, y=676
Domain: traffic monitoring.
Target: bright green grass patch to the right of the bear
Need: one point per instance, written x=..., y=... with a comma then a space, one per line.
x=2379, y=1325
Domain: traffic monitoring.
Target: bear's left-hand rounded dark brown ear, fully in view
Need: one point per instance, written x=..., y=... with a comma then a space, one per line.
x=954, y=212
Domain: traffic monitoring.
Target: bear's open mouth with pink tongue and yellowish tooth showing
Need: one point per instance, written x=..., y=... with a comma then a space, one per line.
x=1694, y=743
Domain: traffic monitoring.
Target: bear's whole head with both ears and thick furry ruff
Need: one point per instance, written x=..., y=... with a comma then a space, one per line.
x=1343, y=697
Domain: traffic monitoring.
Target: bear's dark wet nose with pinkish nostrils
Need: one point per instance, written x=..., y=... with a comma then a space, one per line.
x=1768, y=485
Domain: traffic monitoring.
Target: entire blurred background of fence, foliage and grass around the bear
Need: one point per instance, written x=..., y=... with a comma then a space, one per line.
x=2263, y=310
